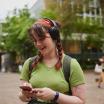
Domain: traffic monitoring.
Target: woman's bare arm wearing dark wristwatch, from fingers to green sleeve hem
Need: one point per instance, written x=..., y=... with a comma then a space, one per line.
x=77, y=97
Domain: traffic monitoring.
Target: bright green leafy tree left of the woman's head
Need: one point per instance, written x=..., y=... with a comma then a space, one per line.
x=16, y=38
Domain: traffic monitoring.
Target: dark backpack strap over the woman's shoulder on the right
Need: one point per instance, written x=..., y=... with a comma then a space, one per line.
x=66, y=70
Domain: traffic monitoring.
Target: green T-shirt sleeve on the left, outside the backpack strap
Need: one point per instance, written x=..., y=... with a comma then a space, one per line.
x=25, y=71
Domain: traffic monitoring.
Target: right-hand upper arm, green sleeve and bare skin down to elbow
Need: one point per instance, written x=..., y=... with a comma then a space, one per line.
x=77, y=80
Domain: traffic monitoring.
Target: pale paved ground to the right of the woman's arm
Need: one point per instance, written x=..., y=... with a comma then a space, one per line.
x=95, y=95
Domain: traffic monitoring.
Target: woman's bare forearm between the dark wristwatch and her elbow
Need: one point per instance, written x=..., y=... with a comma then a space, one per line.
x=66, y=99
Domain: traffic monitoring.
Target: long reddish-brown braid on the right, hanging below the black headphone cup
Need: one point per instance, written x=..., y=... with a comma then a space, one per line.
x=59, y=49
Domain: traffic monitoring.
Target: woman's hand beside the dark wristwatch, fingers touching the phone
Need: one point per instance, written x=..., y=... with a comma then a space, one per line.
x=44, y=93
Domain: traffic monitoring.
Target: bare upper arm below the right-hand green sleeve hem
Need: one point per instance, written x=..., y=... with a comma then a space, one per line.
x=79, y=91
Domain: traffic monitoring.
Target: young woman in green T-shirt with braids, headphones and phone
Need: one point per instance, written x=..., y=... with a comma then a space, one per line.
x=47, y=81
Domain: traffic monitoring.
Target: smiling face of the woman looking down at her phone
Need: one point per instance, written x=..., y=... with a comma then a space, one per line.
x=45, y=45
